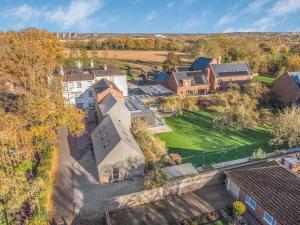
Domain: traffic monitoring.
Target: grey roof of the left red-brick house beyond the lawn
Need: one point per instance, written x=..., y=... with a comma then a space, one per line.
x=198, y=77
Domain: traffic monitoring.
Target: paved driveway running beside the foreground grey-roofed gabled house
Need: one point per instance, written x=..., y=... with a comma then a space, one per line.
x=77, y=196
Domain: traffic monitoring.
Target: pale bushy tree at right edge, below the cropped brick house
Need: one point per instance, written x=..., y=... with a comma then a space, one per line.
x=286, y=127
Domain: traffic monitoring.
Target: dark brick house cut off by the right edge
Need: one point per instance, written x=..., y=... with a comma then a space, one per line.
x=286, y=88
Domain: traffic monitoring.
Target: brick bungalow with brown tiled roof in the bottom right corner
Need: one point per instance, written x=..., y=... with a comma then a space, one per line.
x=270, y=192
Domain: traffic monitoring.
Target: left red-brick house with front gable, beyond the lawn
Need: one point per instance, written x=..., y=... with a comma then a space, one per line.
x=188, y=83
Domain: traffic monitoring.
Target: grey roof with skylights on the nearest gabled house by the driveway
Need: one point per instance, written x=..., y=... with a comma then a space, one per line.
x=111, y=131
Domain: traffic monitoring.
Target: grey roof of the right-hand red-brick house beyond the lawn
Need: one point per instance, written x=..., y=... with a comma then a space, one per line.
x=231, y=69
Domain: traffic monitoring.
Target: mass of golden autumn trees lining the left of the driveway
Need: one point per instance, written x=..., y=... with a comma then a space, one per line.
x=31, y=109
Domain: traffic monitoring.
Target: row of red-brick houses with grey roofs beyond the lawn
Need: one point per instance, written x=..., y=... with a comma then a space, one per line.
x=207, y=75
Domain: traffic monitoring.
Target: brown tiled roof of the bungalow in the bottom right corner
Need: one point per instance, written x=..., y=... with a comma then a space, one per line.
x=274, y=188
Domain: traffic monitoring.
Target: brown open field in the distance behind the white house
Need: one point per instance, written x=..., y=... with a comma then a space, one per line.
x=144, y=56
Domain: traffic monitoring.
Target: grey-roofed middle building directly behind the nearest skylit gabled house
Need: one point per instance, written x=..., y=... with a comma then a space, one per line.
x=111, y=105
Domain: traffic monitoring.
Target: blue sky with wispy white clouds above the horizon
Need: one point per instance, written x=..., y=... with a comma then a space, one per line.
x=152, y=16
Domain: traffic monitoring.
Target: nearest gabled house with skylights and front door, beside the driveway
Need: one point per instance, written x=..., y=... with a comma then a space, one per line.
x=116, y=152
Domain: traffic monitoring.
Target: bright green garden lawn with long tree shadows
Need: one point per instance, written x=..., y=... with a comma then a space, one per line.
x=197, y=142
